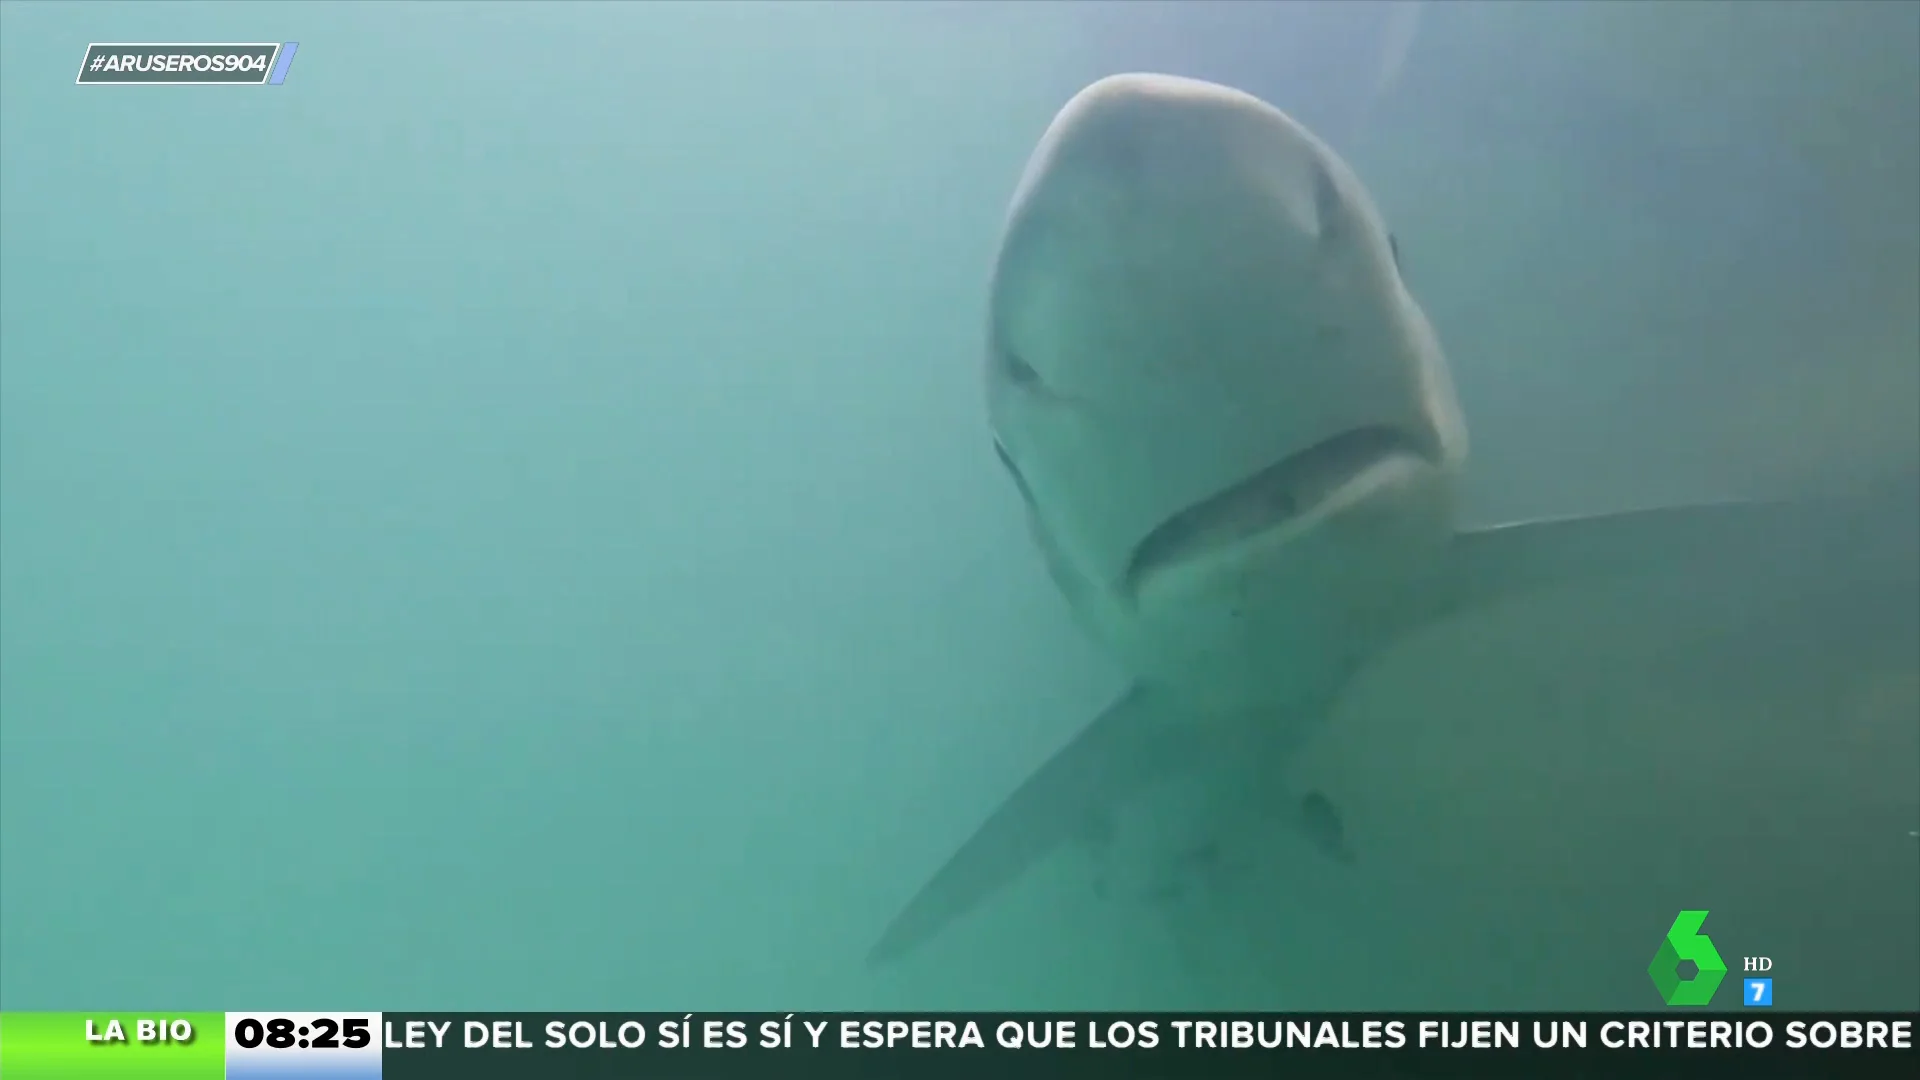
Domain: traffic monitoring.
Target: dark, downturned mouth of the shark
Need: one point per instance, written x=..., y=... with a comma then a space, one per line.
x=1266, y=501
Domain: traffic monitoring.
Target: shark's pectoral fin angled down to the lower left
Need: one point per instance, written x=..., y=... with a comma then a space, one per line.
x=1132, y=745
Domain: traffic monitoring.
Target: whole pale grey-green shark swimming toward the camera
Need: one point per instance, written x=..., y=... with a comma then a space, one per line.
x=1239, y=453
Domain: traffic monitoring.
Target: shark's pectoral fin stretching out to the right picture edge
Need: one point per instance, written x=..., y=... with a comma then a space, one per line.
x=1813, y=541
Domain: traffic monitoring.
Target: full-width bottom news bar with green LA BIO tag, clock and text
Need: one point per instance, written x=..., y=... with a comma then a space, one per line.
x=400, y=1046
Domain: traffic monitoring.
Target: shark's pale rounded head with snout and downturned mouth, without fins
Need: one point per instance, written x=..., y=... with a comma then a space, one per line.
x=1232, y=424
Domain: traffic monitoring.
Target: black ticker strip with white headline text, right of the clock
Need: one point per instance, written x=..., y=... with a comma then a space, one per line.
x=1015, y=1046
